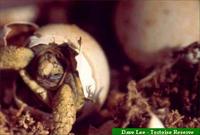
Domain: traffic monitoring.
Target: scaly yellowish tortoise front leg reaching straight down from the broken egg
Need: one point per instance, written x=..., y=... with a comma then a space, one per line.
x=64, y=111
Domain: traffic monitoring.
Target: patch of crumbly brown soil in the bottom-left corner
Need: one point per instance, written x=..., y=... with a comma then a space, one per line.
x=13, y=123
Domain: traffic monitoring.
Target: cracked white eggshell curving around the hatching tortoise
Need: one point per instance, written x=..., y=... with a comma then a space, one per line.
x=91, y=61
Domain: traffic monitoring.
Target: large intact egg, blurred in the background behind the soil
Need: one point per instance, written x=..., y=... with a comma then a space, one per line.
x=147, y=27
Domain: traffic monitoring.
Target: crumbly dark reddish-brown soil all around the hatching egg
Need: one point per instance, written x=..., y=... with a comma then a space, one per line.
x=171, y=91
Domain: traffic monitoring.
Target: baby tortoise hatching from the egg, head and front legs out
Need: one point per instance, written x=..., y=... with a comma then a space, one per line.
x=48, y=69
